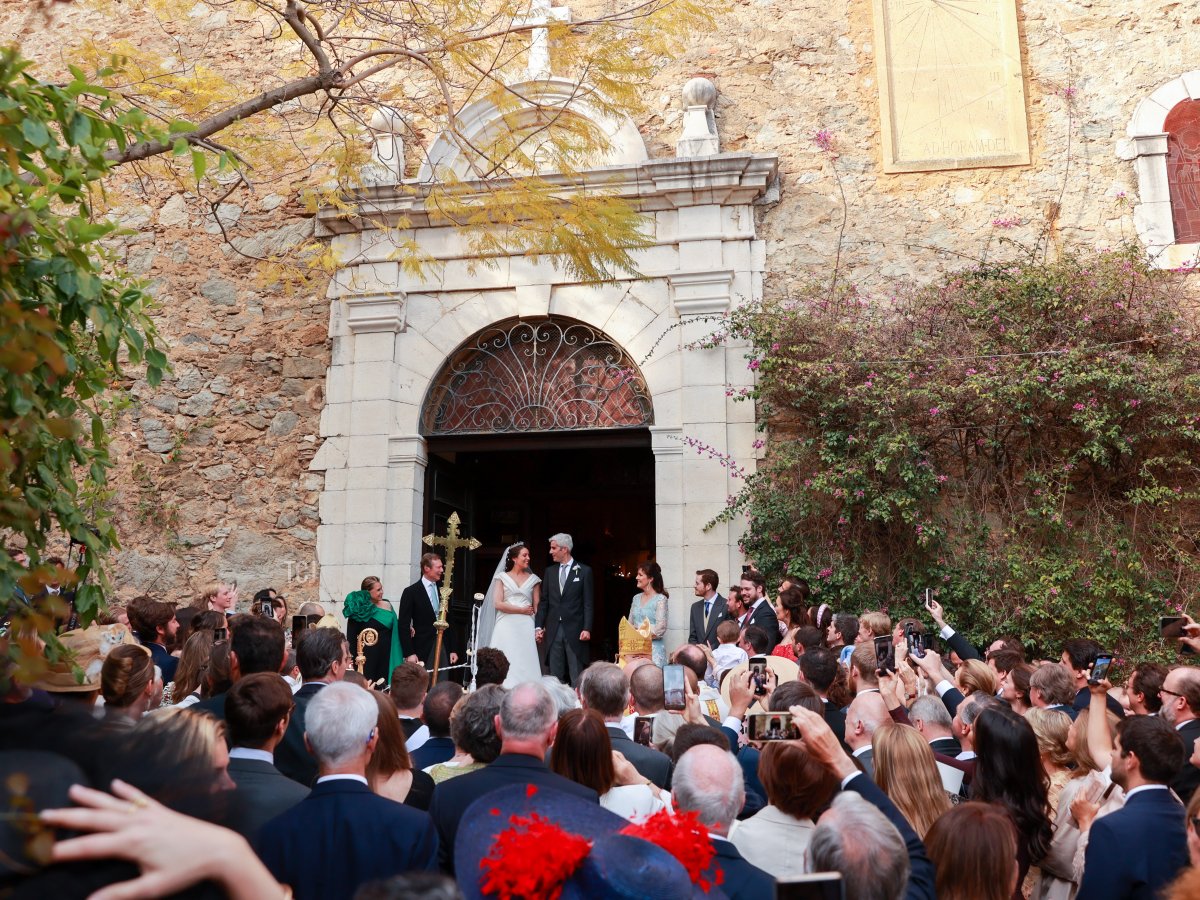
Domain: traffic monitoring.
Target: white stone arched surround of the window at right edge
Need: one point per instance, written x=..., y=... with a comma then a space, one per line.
x=1148, y=136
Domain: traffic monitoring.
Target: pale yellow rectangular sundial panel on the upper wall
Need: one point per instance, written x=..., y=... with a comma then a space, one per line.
x=952, y=95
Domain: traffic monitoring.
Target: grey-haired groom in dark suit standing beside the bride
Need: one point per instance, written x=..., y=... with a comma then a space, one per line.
x=565, y=616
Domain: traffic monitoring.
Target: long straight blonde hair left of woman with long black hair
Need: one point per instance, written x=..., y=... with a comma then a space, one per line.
x=907, y=772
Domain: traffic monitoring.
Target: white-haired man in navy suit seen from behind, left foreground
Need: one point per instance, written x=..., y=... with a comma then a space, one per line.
x=344, y=836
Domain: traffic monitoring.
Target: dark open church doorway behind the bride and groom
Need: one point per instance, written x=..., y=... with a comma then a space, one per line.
x=597, y=487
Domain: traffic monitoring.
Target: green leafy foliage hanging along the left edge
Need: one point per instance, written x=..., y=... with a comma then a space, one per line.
x=68, y=323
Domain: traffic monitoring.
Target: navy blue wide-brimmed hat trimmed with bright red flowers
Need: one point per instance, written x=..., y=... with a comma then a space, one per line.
x=619, y=866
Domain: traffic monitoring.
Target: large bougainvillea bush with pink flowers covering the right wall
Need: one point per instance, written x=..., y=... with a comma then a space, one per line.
x=1022, y=440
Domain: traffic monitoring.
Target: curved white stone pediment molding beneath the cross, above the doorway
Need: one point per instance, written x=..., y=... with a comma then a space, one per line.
x=484, y=121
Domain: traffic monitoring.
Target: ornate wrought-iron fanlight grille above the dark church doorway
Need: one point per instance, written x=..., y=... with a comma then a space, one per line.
x=537, y=376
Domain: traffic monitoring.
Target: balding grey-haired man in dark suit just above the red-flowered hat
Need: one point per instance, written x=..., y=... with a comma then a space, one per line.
x=527, y=725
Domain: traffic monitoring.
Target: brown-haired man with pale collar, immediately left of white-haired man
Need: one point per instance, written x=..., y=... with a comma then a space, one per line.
x=257, y=712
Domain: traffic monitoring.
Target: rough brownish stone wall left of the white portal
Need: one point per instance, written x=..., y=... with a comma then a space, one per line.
x=212, y=472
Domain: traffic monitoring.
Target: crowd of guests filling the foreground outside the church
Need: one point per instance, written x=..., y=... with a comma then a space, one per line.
x=190, y=751
